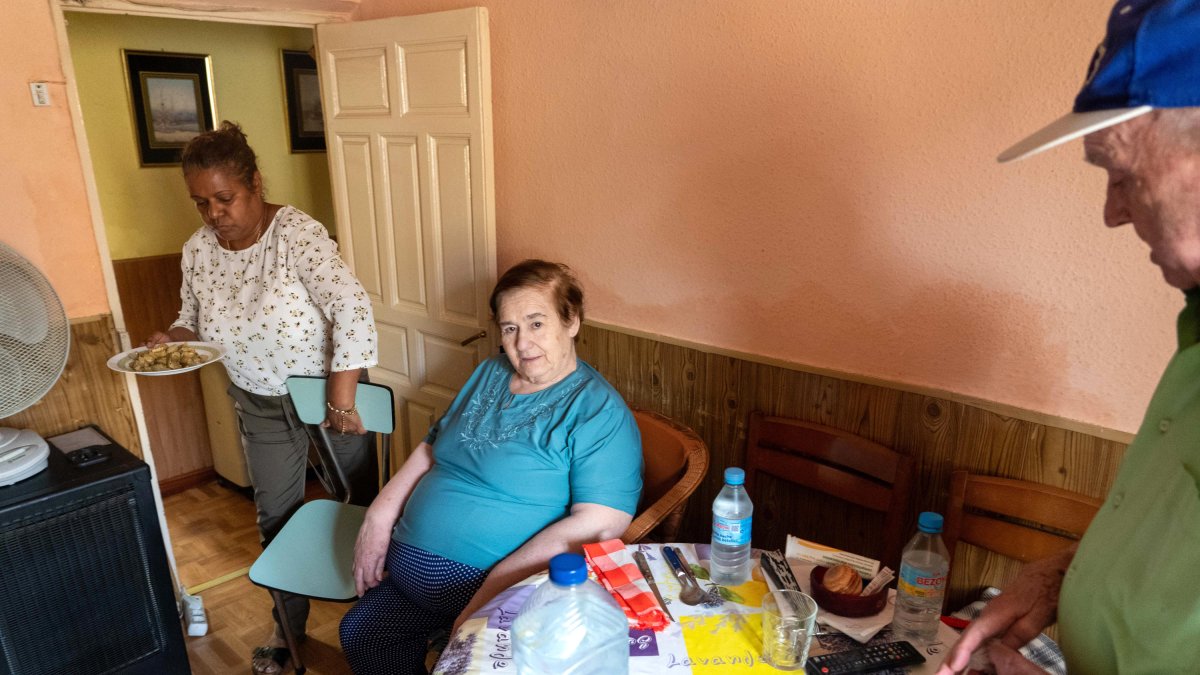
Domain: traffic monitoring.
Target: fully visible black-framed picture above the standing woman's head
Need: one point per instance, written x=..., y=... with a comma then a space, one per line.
x=172, y=100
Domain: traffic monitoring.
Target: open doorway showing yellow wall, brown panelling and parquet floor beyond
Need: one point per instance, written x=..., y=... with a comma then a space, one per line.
x=148, y=218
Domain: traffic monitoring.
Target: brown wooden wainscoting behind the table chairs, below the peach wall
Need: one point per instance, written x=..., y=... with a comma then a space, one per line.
x=716, y=393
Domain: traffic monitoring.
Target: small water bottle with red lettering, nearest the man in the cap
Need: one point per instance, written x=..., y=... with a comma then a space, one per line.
x=925, y=566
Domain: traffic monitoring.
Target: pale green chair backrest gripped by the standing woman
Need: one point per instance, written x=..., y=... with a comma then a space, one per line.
x=377, y=410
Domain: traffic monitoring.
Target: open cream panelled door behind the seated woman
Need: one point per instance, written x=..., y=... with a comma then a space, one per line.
x=409, y=124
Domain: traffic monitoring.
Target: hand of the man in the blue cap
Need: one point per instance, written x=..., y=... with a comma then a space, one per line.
x=1028, y=606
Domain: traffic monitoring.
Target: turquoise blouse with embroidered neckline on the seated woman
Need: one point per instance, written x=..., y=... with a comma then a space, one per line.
x=506, y=467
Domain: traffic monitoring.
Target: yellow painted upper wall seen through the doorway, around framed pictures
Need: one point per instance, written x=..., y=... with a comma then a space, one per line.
x=147, y=211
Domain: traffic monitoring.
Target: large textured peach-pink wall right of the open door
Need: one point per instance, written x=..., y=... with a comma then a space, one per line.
x=815, y=182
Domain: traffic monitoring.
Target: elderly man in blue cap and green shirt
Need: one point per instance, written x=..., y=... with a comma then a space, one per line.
x=1127, y=599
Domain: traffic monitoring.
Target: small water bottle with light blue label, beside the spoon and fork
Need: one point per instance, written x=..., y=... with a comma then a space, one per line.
x=730, y=558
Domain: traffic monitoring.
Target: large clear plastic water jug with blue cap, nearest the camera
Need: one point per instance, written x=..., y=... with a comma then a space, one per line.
x=571, y=626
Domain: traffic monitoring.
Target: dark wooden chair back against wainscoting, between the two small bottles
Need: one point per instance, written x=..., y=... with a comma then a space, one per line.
x=838, y=464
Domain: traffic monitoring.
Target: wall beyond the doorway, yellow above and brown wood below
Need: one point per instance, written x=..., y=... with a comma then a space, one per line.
x=148, y=216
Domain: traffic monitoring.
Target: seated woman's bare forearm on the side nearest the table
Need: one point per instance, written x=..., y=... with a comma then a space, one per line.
x=587, y=523
